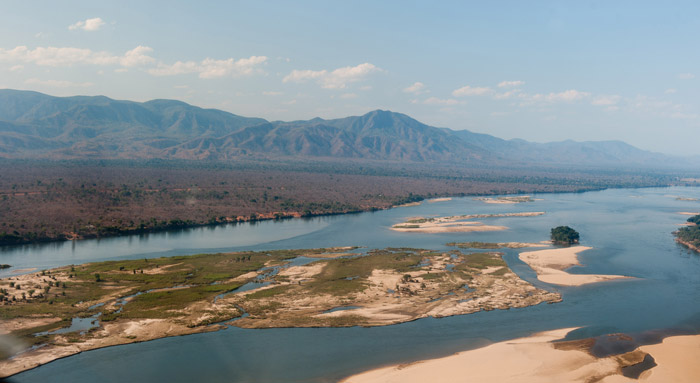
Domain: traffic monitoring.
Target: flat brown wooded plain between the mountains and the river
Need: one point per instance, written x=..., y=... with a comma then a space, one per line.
x=84, y=197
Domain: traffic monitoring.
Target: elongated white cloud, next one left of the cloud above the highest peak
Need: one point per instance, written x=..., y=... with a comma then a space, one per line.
x=210, y=68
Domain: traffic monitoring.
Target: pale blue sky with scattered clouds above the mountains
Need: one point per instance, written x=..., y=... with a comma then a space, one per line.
x=536, y=70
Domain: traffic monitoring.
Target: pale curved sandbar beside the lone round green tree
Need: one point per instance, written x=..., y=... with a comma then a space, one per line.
x=550, y=264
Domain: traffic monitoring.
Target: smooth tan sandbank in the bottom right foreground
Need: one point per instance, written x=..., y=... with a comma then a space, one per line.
x=538, y=359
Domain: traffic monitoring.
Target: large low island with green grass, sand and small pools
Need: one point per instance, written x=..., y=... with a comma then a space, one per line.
x=128, y=301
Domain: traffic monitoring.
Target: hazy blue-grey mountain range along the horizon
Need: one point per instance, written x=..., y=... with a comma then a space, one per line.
x=35, y=125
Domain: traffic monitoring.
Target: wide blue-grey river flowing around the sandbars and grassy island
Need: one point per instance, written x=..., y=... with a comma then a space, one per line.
x=630, y=231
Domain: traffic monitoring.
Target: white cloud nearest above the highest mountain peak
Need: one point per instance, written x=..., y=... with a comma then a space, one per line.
x=336, y=79
